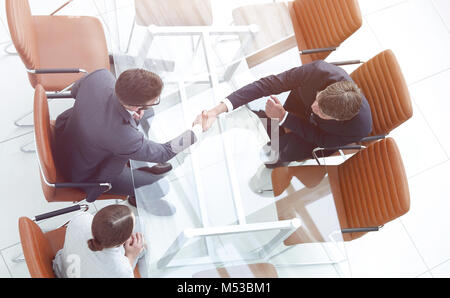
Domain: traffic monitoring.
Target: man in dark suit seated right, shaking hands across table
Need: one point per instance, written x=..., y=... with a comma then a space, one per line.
x=325, y=108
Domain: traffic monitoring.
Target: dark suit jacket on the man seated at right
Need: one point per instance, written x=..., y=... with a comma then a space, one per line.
x=304, y=82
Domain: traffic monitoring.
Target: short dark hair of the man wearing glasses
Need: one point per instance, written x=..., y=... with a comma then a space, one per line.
x=138, y=86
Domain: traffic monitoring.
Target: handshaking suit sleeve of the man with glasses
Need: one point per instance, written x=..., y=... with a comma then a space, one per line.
x=142, y=149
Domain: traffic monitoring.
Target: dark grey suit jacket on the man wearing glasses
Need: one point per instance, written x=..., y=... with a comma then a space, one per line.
x=96, y=138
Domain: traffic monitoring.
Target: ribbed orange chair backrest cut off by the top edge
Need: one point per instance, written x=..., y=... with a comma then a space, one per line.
x=323, y=24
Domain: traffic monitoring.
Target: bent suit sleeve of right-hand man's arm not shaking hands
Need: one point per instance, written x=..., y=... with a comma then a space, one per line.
x=314, y=135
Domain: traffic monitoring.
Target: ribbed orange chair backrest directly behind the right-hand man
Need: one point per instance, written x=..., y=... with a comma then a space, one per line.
x=382, y=83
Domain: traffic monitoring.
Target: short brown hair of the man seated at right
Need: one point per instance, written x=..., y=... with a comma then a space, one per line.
x=341, y=100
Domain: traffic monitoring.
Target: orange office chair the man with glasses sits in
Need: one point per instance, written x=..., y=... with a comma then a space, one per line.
x=55, y=188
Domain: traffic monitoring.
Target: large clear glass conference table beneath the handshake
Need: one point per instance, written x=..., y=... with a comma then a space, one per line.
x=226, y=212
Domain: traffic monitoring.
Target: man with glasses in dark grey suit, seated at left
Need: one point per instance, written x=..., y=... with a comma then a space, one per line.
x=98, y=136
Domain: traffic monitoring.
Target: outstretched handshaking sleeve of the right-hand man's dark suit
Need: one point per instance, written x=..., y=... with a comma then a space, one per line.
x=274, y=84
